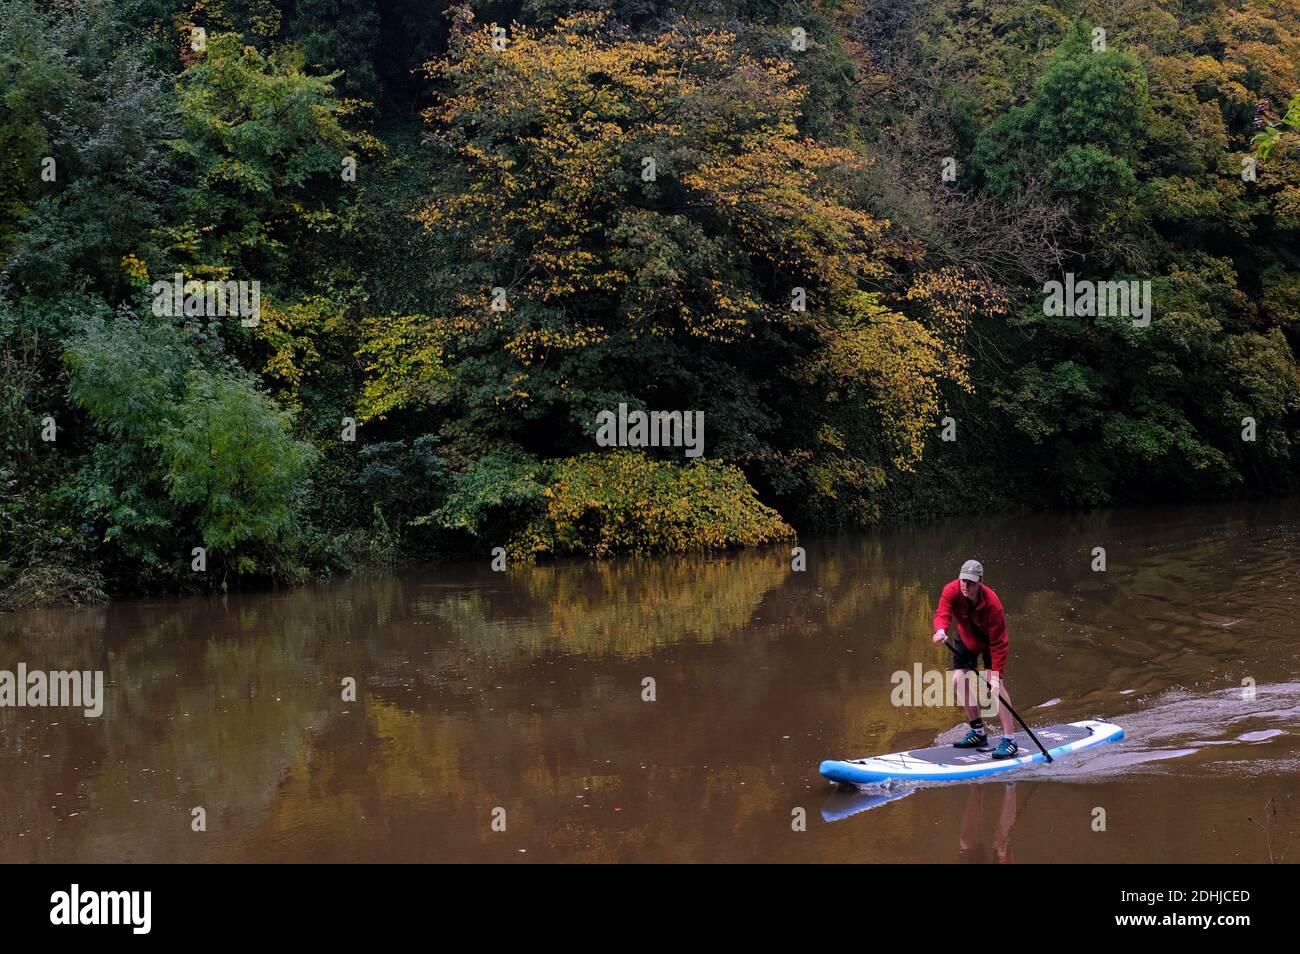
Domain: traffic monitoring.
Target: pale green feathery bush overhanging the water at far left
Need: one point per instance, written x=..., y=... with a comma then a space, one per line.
x=190, y=457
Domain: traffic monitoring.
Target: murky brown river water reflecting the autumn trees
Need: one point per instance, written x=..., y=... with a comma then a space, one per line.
x=514, y=701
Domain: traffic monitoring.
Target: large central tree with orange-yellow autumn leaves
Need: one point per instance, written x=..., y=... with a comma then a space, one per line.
x=642, y=222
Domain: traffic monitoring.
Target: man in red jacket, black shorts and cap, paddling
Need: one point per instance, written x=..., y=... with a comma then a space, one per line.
x=981, y=632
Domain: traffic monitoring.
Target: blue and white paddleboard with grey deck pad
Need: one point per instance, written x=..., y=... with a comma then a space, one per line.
x=950, y=764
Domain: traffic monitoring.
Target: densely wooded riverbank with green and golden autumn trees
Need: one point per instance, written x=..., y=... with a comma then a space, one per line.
x=476, y=324
